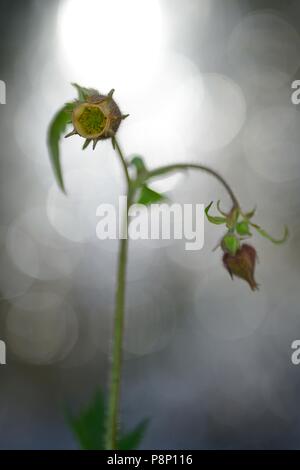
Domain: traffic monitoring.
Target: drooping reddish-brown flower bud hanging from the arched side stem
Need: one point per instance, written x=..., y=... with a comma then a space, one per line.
x=242, y=264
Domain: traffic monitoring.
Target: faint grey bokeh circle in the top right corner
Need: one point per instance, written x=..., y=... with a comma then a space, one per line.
x=265, y=50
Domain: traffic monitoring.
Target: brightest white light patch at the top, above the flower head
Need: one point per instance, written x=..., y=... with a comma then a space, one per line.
x=114, y=43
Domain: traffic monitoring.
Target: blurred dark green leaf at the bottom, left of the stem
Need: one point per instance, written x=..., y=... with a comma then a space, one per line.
x=89, y=426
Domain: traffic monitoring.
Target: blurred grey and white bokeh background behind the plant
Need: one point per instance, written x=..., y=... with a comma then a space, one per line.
x=207, y=360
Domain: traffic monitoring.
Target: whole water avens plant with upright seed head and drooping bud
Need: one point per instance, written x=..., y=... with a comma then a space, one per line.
x=95, y=117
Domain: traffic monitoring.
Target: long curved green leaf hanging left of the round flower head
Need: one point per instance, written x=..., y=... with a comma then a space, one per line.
x=56, y=129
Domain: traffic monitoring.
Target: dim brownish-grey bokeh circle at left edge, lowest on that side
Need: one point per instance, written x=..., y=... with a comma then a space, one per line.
x=41, y=328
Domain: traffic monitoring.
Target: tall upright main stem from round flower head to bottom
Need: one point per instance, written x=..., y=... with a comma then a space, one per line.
x=118, y=328
